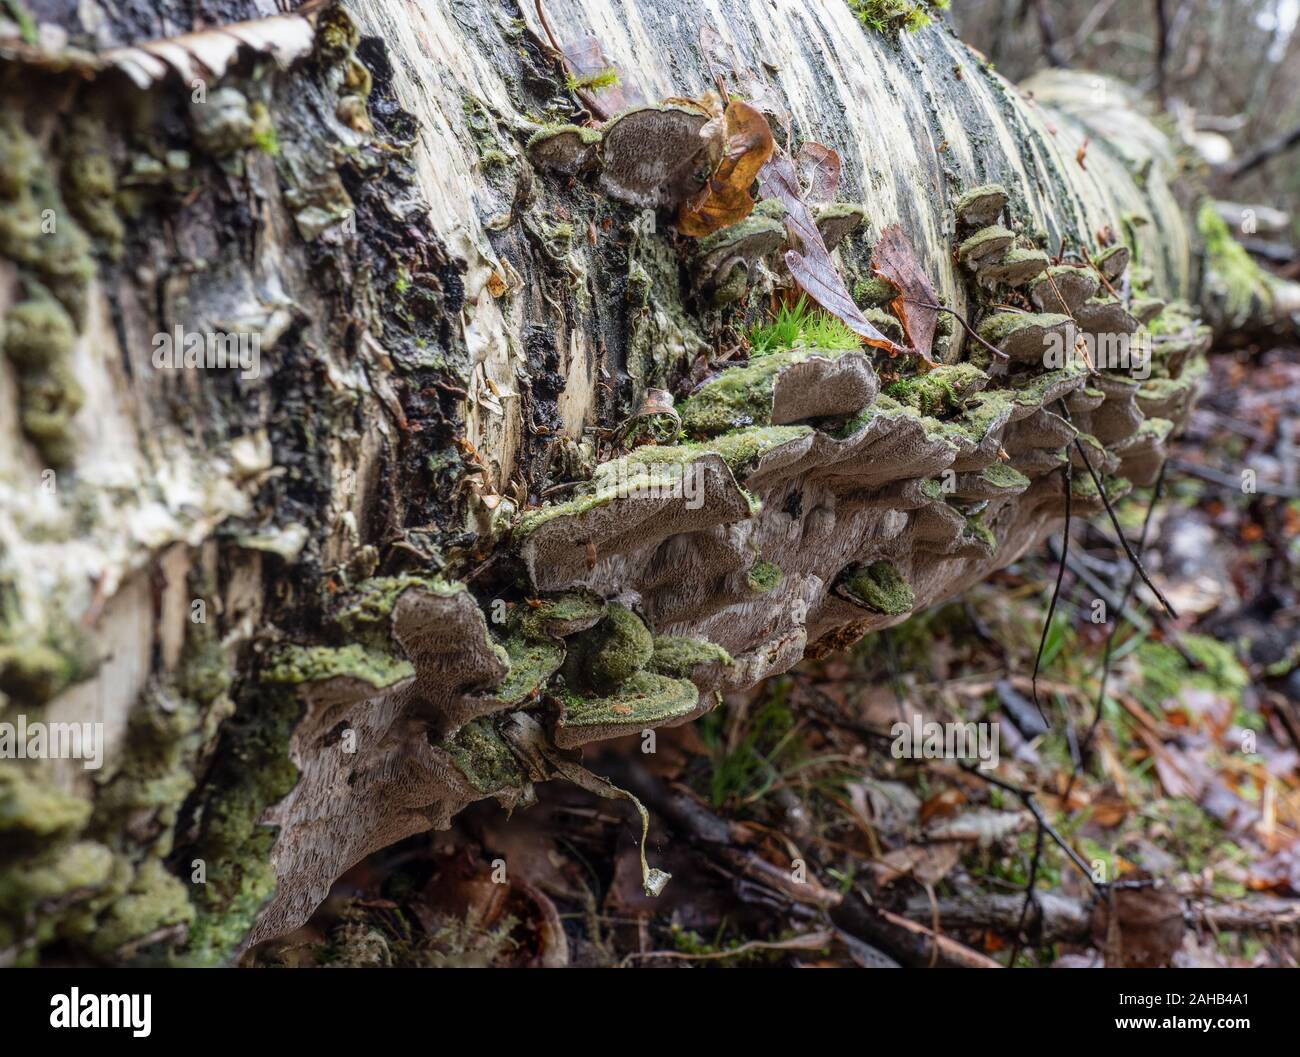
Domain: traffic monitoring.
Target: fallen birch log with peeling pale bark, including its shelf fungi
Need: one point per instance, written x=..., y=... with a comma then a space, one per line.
x=504, y=482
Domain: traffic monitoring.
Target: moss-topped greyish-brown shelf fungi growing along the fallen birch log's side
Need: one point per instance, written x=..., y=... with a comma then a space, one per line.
x=788, y=506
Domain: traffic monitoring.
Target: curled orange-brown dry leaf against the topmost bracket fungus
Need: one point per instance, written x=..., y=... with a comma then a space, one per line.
x=747, y=145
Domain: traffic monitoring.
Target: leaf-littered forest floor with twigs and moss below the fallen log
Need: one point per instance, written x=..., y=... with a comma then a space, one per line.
x=796, y=837
